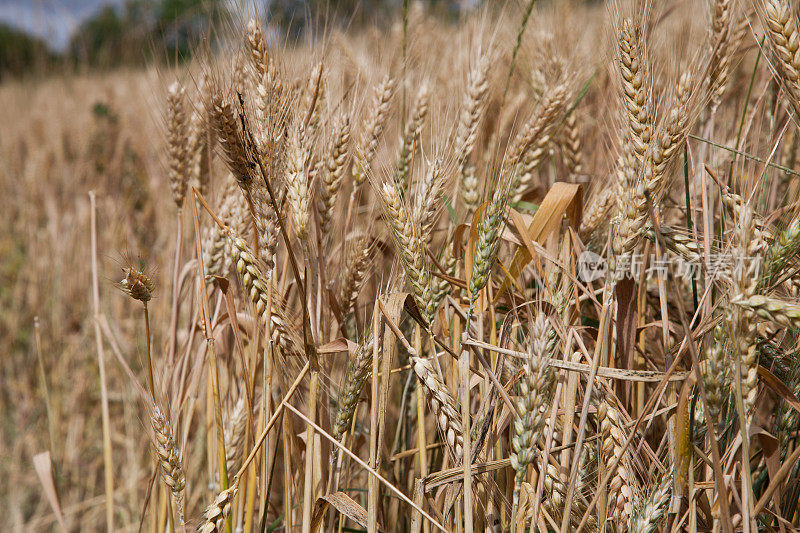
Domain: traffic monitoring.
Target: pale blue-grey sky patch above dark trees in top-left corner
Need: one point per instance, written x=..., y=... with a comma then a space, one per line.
x=52, y=20
